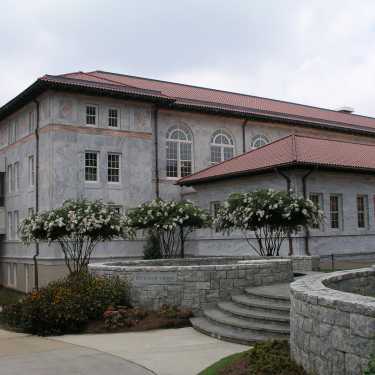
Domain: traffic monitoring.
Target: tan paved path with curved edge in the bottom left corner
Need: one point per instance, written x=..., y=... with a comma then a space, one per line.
x=31, y=355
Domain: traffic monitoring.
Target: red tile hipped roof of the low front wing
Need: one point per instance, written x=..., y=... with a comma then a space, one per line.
x=293, y=150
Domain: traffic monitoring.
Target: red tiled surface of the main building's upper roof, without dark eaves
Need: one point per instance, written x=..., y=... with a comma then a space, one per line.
x=191, y=96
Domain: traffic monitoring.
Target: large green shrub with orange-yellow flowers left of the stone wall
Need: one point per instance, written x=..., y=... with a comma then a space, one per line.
x=67, y=305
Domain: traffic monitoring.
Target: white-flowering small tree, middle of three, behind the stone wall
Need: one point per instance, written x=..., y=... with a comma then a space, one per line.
x=171, y=221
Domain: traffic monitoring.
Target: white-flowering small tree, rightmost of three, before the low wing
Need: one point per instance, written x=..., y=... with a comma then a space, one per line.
x=271, y=215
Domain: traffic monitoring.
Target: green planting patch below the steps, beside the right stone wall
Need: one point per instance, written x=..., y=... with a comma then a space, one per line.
x=267, y=358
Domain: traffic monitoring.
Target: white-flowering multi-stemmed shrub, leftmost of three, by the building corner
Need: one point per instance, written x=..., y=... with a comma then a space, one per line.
x=77, y=226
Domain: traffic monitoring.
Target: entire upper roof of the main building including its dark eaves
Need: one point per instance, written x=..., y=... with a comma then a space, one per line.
x=186, y=97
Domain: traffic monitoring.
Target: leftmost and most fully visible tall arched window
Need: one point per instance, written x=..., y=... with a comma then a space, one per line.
x=179, y=152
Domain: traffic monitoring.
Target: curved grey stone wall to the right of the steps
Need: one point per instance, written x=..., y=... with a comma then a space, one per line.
x=332, y=329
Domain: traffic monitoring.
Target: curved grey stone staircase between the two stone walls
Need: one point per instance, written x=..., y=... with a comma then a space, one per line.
x=259, y=314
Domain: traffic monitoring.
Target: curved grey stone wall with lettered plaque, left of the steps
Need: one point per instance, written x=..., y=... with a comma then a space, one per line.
x=154, y=283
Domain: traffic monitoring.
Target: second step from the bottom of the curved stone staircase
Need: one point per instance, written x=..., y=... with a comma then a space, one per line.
x=220, y=317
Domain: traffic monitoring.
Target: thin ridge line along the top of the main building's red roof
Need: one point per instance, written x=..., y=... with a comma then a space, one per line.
x=236, y=93
